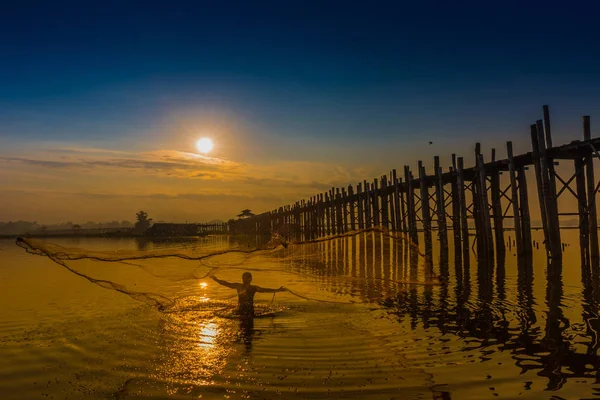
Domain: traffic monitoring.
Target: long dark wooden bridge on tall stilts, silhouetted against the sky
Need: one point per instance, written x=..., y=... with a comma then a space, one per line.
x=446, y=201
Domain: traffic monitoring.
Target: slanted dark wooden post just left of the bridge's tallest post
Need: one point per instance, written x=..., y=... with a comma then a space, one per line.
x=549, y=193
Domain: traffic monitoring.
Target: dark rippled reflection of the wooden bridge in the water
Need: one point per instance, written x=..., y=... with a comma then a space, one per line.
x=516, y=307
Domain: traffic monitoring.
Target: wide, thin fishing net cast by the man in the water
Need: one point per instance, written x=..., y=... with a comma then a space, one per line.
x=174, y=277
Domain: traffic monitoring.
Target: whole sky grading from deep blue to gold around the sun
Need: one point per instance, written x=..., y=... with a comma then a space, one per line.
x=101, y=103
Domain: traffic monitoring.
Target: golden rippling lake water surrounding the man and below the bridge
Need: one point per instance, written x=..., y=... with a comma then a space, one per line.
x=360, y=323
